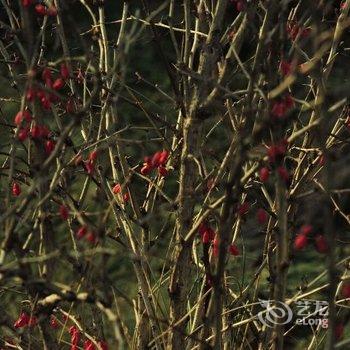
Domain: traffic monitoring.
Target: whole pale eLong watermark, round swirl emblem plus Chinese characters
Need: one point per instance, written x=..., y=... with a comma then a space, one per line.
x=308, y=313
